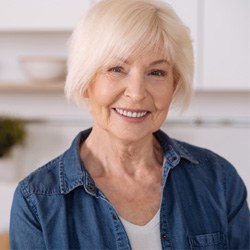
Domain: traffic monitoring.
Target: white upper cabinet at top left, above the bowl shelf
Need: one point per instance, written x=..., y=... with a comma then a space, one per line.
x=41, y=15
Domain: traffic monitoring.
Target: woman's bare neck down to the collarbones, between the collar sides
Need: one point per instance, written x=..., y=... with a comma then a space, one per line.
x=114, y=156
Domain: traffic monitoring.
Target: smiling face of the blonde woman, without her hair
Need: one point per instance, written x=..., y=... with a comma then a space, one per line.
x=130, y=99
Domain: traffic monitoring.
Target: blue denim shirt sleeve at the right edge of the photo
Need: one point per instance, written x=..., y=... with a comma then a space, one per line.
x=237, y=211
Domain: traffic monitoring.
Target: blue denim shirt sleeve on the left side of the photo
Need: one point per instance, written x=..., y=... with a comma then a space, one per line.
x=25, y=229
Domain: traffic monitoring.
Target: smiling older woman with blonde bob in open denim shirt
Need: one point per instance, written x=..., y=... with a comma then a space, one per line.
x=124, y=184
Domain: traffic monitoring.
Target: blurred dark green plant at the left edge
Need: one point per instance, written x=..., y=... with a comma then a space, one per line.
x=12, y=132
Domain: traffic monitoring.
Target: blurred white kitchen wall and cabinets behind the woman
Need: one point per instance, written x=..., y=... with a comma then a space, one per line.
x=219, y=115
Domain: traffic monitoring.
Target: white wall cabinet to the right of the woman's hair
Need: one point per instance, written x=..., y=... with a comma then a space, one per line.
x=221, y=33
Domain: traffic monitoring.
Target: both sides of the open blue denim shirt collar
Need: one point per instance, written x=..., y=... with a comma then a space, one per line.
x=72, y=173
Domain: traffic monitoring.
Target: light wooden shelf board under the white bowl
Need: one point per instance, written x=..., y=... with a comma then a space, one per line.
x=31, y=87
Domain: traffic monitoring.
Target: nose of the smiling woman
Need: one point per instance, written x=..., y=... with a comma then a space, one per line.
x=136, y=88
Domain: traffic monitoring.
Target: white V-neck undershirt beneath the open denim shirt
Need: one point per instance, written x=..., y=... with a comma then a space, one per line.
x=145, y=237
